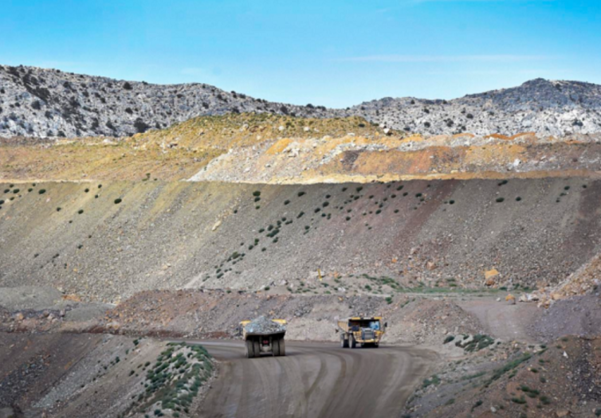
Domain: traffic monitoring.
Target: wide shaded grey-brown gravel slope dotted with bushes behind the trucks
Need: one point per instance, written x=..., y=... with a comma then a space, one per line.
x=107, y=241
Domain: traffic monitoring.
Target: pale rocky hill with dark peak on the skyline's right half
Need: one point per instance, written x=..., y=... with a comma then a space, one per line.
x=540, y=106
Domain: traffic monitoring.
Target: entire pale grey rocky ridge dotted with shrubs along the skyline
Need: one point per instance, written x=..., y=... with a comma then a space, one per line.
x=45, y=103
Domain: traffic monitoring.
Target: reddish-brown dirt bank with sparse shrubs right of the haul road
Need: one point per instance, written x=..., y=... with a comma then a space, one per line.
x=562, y=379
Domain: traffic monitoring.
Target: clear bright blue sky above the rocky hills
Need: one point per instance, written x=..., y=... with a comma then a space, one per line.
x=334, y=53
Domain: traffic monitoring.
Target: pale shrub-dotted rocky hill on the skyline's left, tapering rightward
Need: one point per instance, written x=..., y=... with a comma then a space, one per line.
x=50, y=103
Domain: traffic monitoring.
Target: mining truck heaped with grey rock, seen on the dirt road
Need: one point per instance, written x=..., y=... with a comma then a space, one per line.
x=264, y=336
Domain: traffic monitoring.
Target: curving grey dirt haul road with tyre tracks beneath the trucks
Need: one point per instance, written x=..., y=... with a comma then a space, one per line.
x=315, y=380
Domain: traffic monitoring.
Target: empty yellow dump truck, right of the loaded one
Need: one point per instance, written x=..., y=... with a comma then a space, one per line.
x=367, y=332
